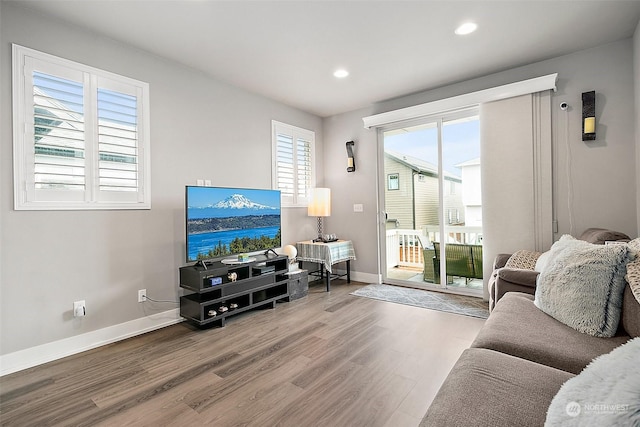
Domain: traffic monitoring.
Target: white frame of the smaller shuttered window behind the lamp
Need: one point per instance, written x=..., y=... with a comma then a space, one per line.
x=296, y=133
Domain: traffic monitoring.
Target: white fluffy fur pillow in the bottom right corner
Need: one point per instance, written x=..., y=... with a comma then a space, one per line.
x=606, y=393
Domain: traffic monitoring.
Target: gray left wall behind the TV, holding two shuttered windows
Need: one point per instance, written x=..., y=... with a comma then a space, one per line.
x=200, y=129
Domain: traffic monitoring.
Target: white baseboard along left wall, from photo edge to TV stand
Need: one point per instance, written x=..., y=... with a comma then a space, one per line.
x=30, y=357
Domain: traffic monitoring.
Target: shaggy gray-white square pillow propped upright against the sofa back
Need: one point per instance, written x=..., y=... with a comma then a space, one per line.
x=582, y=285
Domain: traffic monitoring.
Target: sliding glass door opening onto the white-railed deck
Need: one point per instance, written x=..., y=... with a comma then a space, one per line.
x=431, y=203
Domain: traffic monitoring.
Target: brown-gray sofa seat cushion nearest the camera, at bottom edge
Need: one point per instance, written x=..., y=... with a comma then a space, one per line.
x=487, y=388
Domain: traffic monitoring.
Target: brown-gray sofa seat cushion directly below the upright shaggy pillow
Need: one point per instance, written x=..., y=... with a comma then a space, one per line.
x=517, y=327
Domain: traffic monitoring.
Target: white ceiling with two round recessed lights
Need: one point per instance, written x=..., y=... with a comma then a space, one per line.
x=288, y=50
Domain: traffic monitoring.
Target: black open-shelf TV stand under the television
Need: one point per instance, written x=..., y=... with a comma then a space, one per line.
x=237, y=287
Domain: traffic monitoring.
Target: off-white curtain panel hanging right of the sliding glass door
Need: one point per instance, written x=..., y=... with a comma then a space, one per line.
x=517, y=211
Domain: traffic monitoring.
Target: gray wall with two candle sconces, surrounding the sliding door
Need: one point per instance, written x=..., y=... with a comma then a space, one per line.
x=603, y=173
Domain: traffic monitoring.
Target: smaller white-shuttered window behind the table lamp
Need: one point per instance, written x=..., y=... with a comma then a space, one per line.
x=293, y=163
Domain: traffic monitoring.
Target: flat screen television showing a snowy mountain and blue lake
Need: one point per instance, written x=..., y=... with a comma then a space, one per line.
x=222, y=222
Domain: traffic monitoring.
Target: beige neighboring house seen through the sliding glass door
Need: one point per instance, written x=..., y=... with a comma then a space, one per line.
x=411, y=193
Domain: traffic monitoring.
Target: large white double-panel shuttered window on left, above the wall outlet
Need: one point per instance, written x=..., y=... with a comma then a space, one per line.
x=81, y=136
